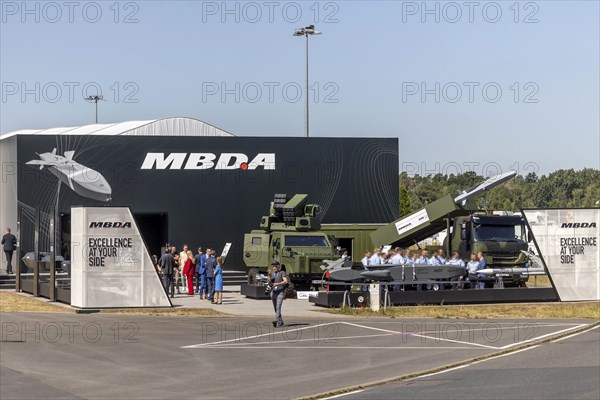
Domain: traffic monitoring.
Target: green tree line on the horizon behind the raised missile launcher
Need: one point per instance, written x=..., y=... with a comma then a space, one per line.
x=564, y=188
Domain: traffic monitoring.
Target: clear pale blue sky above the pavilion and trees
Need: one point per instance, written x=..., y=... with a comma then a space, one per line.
x=483, y=86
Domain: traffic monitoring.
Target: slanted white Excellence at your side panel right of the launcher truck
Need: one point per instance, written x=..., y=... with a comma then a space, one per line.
x=567, y=240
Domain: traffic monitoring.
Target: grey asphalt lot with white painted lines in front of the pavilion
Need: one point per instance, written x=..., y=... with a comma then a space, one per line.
x=145, y=357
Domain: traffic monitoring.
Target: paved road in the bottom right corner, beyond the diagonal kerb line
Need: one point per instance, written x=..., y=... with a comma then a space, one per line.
x=564, y=369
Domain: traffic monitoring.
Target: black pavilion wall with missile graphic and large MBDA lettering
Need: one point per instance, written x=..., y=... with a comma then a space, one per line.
x=354, y=181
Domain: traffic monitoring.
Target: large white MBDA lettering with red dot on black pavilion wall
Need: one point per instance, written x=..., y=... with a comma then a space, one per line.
x=207, y=161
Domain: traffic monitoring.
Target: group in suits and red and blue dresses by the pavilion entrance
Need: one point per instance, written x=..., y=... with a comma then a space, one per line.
x=200, y=274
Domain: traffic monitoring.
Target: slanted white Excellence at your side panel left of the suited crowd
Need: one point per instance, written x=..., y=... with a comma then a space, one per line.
x=111, y=266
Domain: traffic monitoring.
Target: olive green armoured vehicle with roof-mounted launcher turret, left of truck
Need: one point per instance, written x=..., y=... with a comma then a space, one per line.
x=291, y=235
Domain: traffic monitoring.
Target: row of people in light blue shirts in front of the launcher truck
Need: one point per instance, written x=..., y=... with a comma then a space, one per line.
x=399, y=256
